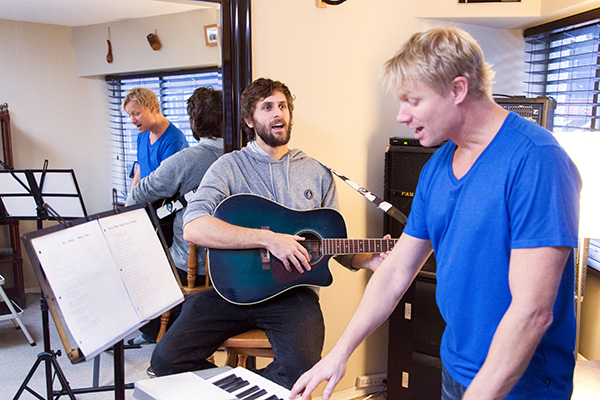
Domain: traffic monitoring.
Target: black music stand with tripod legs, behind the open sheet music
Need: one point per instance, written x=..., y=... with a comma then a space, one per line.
x=50, y=195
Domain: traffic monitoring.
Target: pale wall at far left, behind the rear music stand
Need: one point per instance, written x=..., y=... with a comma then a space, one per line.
x=55, y=115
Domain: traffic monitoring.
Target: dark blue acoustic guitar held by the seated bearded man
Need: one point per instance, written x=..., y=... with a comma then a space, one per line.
x=249, y=276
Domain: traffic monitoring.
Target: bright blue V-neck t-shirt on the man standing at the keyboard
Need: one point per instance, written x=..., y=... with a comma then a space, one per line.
x=522, y=192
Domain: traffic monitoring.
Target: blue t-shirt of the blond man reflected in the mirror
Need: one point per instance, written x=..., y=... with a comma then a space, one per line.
x=151, y=155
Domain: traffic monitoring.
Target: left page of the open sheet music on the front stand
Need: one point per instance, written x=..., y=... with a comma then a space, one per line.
x=87, y=285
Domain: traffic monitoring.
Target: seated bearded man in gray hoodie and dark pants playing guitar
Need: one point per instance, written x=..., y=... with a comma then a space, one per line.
x=268, y=168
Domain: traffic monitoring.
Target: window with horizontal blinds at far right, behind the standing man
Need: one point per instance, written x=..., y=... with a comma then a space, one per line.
x=564, y=62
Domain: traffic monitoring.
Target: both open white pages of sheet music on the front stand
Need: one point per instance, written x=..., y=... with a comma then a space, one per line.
x=108, y=276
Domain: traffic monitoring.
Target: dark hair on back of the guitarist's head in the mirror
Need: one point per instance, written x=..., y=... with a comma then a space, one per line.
x=205, y=107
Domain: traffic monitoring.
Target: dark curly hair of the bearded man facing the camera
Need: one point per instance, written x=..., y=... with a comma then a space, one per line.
x=258, y=90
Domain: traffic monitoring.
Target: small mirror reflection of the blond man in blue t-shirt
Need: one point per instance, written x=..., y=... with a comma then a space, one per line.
x=158, y=138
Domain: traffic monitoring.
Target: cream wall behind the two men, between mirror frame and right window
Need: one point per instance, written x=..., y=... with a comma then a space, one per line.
x=330, y=59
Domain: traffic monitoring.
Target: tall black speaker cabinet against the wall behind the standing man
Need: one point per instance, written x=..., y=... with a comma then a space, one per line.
x=416, y=326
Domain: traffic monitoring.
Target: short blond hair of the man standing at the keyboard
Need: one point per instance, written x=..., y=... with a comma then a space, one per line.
x=437, y=56
